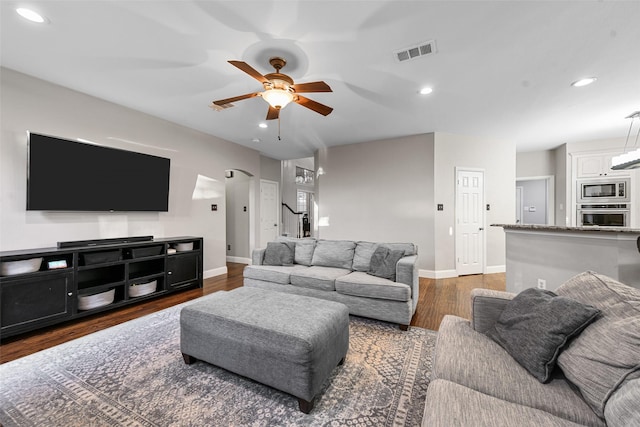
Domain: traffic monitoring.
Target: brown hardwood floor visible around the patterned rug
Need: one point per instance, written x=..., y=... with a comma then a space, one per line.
x=438, y=297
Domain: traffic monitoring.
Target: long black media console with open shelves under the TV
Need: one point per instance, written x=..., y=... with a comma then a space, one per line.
x=73, y=282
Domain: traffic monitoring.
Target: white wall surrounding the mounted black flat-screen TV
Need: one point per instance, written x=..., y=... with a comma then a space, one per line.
x=31, y=104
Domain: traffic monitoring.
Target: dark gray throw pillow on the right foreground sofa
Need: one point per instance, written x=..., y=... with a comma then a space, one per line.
x=535, y=326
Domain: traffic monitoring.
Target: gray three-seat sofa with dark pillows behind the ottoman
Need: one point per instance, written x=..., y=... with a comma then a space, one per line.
x=342, y=271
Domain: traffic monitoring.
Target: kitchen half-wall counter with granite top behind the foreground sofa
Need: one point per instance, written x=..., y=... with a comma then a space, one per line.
x=547, y=255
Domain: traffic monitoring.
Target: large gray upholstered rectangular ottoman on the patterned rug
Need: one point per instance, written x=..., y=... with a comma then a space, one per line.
x=289, y=342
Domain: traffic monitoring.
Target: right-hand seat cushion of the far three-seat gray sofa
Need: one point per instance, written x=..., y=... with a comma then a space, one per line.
x=361, y=284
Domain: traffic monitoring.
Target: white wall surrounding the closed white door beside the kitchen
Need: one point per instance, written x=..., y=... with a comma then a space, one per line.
x=498, y=160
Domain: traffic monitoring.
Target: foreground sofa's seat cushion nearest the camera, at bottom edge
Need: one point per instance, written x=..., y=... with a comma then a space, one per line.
x=449, y=404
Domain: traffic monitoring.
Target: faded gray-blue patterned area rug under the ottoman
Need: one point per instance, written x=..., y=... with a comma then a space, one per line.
x=133, y=375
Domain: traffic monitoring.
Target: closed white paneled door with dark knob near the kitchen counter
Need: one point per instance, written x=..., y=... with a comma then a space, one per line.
x=469, y=222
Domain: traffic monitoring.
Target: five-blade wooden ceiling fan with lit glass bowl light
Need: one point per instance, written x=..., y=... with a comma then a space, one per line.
x=279, y=90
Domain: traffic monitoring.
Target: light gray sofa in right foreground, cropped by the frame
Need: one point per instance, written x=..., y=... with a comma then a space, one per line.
x=596, y=381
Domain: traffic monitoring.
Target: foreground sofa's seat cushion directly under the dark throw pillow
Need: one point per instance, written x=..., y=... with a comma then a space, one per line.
x=472, y=359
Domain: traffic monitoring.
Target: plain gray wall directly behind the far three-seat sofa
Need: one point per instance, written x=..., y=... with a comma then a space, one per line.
x=380, y=191
